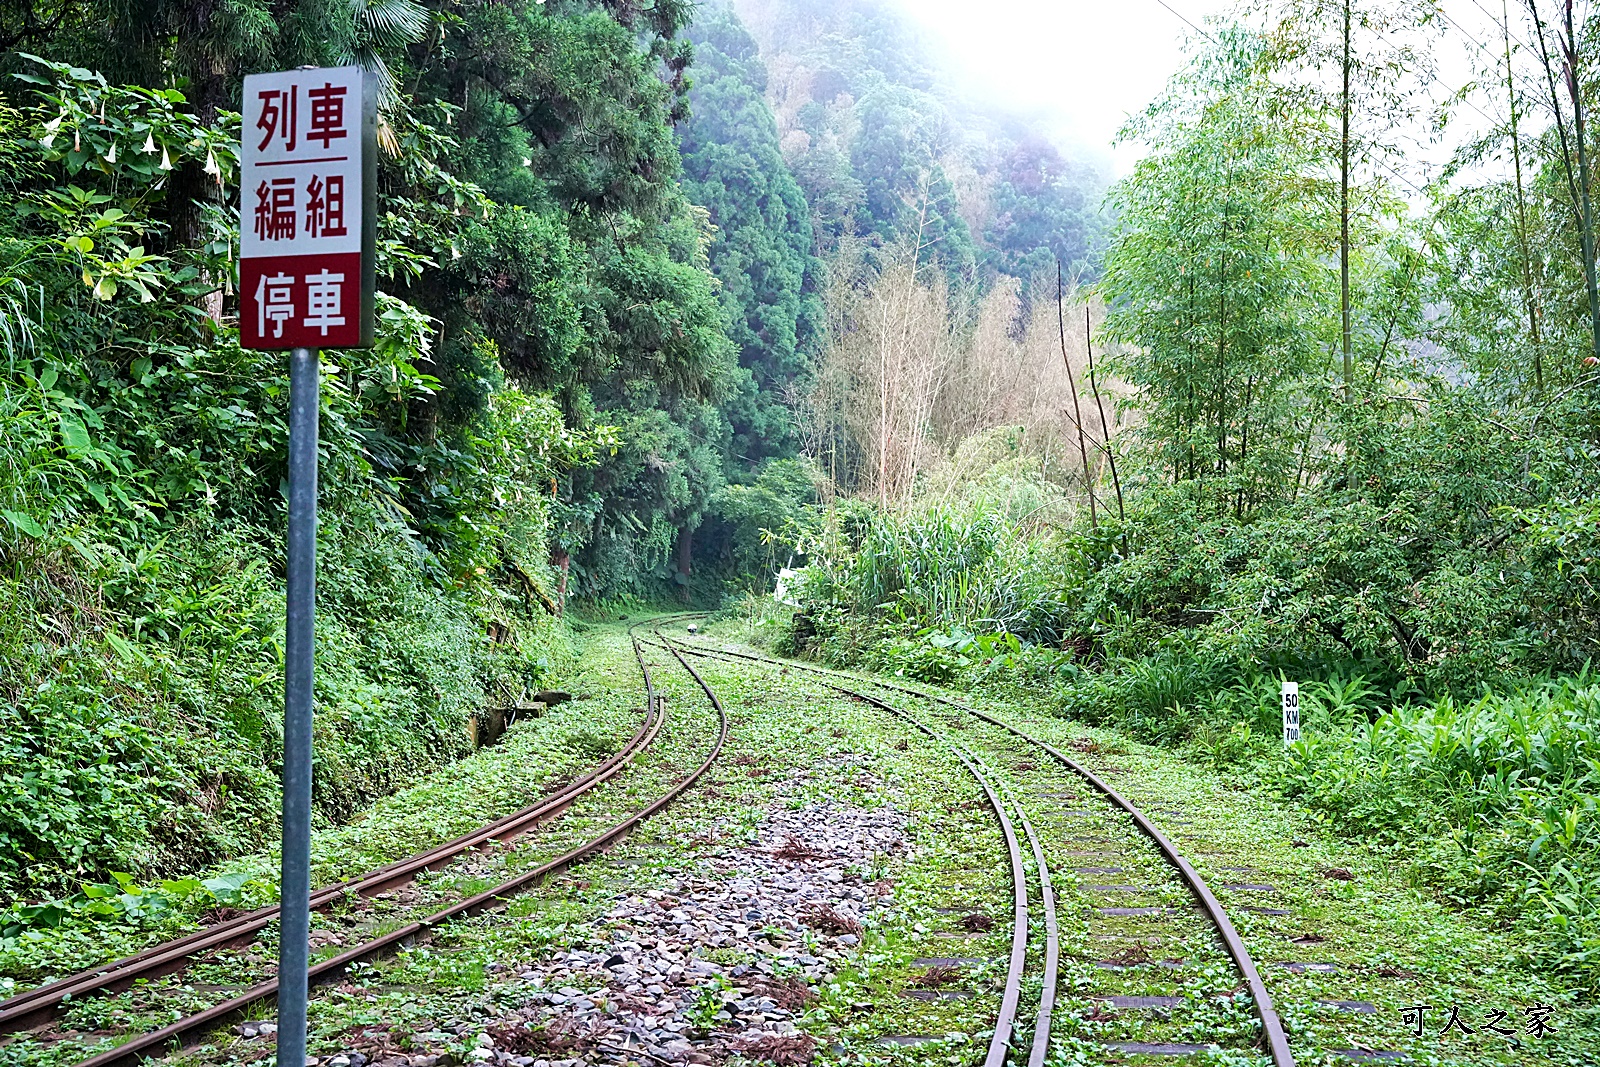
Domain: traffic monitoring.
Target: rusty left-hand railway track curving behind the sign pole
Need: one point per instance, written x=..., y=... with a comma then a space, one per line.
x=38, y=1009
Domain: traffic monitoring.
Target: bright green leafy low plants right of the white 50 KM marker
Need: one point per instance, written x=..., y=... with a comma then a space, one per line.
x=1502, y=794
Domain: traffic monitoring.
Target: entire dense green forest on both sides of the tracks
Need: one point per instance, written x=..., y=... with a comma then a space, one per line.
x=674, y=295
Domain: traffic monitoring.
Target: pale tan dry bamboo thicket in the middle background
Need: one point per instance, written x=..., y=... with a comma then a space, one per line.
x=911, y=372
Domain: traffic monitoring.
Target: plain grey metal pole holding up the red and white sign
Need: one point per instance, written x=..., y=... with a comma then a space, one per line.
x=300, y=637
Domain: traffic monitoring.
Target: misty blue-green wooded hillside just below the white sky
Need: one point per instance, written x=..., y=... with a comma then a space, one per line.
x=887, y=151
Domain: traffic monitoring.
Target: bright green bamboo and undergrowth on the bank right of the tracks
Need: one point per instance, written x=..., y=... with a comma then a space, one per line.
x=1358, y=449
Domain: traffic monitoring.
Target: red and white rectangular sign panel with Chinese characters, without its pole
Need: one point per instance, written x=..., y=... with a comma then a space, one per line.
x=306, y=210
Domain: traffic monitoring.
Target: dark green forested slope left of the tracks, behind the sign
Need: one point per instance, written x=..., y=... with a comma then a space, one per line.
x=602, y=311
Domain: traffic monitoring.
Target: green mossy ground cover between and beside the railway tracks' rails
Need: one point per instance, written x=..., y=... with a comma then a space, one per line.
x=1346, y=948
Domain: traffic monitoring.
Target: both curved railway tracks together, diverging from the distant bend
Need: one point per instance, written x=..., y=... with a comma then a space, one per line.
x=1007, y=802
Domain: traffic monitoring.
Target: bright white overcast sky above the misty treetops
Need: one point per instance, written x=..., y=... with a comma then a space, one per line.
x=1082, y=66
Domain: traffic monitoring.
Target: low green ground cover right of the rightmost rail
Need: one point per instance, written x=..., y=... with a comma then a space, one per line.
x=1396, y=940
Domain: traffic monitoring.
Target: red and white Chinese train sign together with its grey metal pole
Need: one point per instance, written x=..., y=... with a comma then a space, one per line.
x=308, y=217
